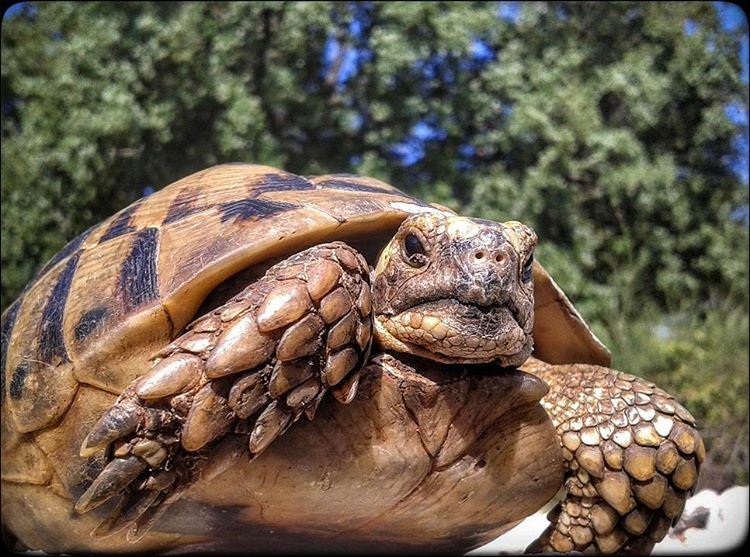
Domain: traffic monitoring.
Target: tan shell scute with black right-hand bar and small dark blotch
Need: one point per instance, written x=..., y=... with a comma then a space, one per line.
x=114, y=319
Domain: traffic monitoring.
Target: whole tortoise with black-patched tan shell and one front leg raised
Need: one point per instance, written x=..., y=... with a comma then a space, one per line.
x=154, y=363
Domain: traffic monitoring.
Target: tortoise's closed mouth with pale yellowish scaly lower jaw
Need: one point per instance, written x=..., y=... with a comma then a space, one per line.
x=453, y=331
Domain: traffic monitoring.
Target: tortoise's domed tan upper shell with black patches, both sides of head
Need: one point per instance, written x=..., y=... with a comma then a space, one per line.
x=122, y=290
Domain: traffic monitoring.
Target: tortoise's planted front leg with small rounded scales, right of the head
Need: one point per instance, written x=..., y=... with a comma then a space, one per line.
x=632, y=458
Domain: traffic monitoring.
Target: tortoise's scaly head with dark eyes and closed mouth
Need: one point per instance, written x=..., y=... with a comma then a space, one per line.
x=457, y=290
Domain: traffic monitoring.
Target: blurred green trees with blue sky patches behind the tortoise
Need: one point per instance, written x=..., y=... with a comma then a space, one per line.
x=619, y=131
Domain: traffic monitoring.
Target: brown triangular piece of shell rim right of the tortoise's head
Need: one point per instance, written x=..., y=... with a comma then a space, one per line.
x=561, y=336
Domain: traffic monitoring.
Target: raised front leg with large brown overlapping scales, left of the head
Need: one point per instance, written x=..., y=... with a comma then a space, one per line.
x=232, y=383
